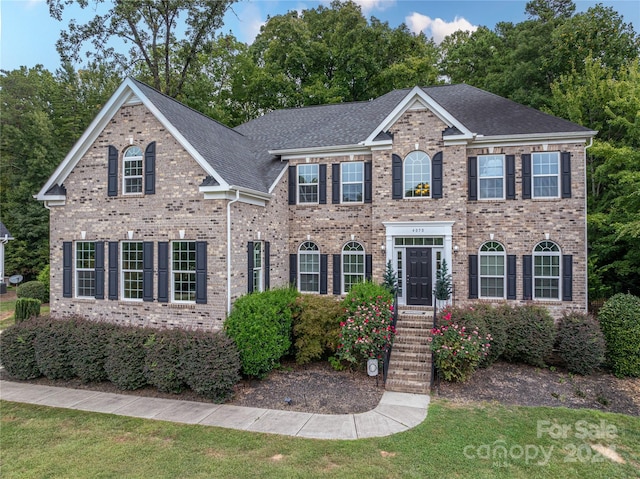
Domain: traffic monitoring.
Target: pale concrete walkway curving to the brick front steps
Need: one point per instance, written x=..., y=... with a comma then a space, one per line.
x=396, y=412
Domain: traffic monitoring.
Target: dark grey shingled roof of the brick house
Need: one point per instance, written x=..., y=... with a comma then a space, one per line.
x=241, y=157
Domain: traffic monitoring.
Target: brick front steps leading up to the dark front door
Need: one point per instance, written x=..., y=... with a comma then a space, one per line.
x=410, y=364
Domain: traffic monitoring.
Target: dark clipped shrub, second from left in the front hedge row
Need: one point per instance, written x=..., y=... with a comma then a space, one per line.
x=52, y=344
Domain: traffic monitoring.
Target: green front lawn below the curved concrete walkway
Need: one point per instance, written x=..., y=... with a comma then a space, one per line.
x=454, y=441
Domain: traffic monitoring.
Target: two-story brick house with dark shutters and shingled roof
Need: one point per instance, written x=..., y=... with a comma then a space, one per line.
x=162, y=216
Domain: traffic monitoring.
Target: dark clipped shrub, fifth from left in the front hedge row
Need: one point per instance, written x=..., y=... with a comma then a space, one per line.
x=163, y=360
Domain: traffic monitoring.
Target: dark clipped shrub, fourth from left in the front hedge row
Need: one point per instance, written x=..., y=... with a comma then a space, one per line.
x=124, y=363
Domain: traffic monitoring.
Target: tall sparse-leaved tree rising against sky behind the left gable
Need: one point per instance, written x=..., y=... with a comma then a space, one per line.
x=165, y=36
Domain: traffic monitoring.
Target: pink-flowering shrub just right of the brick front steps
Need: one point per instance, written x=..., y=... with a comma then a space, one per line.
x=458, y=350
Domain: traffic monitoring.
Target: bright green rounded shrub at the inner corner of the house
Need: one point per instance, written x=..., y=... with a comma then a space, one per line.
x=261, y=326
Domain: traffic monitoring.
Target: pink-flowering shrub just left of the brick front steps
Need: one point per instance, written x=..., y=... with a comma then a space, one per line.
x=367, y=328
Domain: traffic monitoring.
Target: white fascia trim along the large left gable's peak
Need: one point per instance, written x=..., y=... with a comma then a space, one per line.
x=127, y=93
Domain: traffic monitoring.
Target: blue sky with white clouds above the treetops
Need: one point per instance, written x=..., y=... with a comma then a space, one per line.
x=28, y=34
